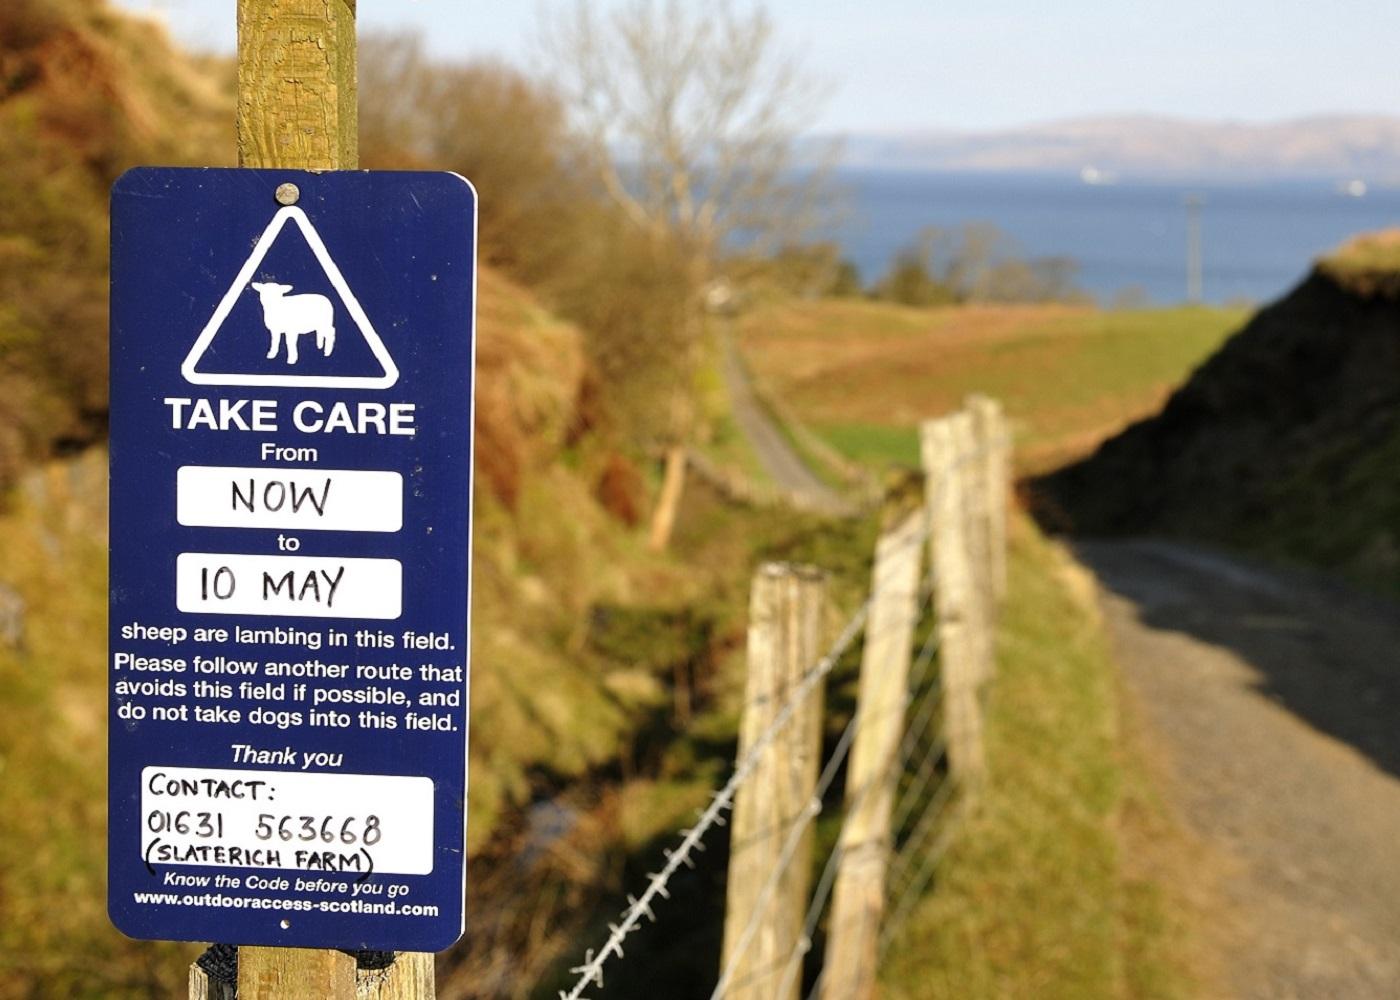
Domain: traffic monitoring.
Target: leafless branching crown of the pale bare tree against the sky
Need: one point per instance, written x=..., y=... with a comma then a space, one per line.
x=692, y=117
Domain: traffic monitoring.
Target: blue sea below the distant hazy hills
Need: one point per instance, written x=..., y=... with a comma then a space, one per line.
x=1128, y=236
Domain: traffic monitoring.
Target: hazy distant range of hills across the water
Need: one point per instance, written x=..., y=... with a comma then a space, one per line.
x=1336, y=146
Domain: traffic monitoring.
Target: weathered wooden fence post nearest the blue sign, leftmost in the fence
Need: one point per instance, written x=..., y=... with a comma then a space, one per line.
x=785, y=634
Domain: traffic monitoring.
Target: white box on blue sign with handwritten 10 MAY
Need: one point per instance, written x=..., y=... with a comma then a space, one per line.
x=213, y=583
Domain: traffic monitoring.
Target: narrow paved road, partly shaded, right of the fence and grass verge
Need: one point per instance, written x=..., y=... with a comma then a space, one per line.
x=1277, y=704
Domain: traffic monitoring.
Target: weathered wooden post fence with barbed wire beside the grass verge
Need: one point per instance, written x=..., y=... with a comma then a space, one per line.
x=913, y=756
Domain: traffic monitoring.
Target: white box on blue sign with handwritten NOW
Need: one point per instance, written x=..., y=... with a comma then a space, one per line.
x=212, y=496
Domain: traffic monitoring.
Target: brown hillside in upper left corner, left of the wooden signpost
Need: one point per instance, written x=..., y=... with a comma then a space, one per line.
x=85, y=95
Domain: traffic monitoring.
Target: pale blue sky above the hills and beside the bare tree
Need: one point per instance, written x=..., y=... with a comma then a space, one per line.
x=916, y=65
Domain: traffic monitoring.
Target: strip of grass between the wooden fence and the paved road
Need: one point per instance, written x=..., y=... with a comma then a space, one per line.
x=1041, y=894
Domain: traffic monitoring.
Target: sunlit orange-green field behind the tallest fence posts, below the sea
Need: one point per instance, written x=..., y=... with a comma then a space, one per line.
x=864, y=375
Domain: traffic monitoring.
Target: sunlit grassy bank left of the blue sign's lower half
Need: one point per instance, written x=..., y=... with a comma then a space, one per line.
x=54, y=747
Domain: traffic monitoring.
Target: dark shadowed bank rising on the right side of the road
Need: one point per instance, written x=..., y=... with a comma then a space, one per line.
x=1283, y=443
